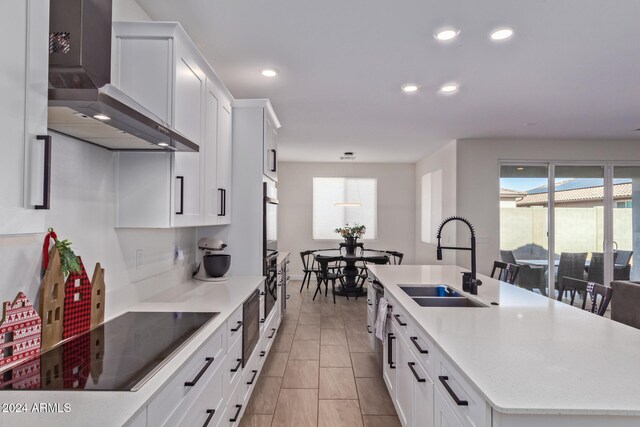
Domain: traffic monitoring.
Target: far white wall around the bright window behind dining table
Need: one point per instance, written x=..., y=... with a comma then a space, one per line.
x=396, y=206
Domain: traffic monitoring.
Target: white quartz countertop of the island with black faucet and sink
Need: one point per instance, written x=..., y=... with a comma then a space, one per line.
x=530, y=354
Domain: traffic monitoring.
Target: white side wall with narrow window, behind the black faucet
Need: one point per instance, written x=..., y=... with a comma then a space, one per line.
x=443, y=160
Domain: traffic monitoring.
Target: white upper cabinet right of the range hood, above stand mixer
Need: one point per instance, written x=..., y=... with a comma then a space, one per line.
x=160, y=68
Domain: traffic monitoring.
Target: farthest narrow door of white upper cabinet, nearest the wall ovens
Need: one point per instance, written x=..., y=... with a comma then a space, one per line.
x=224, y=163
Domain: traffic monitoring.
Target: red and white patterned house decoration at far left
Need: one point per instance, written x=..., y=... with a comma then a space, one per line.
x=19, y=331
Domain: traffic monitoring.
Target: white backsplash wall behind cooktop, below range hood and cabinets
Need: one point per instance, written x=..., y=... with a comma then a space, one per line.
x=83, y=211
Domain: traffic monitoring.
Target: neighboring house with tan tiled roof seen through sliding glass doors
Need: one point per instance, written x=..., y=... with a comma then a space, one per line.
x=579, y=192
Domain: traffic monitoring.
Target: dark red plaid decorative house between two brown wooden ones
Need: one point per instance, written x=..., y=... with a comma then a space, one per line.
x=77, y=303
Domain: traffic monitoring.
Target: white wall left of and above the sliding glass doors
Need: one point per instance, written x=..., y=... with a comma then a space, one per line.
x=478, y=180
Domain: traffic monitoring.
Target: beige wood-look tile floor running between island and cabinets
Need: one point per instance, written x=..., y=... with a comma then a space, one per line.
x=321, y=371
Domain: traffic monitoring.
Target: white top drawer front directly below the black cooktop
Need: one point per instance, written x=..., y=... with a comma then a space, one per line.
x=188, y=382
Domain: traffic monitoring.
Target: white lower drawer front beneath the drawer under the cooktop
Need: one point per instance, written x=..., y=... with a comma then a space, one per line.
x=209, y=406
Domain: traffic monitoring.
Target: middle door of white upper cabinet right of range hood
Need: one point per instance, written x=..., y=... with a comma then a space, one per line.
x=211, y=192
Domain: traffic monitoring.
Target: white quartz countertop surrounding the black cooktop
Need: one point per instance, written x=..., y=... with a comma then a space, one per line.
x=104, y=408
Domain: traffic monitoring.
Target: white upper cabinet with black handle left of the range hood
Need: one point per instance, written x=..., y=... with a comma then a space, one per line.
x=23, y=116
